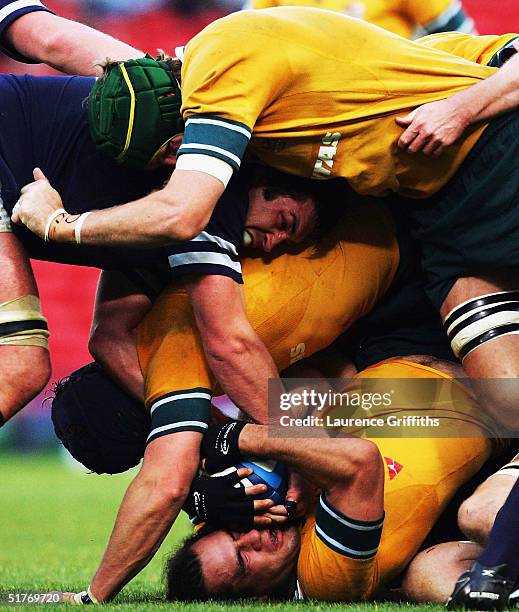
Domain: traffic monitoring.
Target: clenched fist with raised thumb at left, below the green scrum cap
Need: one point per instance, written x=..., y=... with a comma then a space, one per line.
x=37, y=202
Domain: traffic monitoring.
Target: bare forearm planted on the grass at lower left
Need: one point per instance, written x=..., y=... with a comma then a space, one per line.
x=148, y=510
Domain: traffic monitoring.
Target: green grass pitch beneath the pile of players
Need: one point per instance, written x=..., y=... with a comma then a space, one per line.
x=54, y=525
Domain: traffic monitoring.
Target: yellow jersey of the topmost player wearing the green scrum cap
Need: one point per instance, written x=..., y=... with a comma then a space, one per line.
x=316, y=93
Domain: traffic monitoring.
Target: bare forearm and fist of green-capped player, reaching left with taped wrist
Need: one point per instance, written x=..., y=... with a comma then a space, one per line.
x=179, y=211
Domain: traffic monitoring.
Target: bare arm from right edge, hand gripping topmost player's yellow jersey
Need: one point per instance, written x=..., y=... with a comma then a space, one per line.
x=432, y=127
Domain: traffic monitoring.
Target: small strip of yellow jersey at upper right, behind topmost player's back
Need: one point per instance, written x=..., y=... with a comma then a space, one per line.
x=479, y=49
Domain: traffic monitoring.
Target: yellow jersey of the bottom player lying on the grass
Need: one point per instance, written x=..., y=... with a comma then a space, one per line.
x=422, y=476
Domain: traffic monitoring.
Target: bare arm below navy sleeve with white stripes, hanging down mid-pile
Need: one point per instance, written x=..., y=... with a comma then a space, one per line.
x=235, y=354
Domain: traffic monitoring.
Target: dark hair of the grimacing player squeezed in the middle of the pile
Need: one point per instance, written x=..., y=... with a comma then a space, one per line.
x=330, y=196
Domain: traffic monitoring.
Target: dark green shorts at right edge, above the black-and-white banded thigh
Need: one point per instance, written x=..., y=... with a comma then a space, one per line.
x=471, y=226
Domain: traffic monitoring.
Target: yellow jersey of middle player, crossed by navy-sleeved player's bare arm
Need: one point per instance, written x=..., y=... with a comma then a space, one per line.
x=297, y=303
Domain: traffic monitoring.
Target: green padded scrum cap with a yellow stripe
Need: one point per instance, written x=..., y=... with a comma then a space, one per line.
x=134, y=109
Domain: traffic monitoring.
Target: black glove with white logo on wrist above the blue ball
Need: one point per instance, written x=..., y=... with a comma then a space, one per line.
x=220, y=446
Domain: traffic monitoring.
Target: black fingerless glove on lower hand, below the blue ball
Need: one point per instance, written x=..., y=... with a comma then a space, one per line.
x=217, y=501
